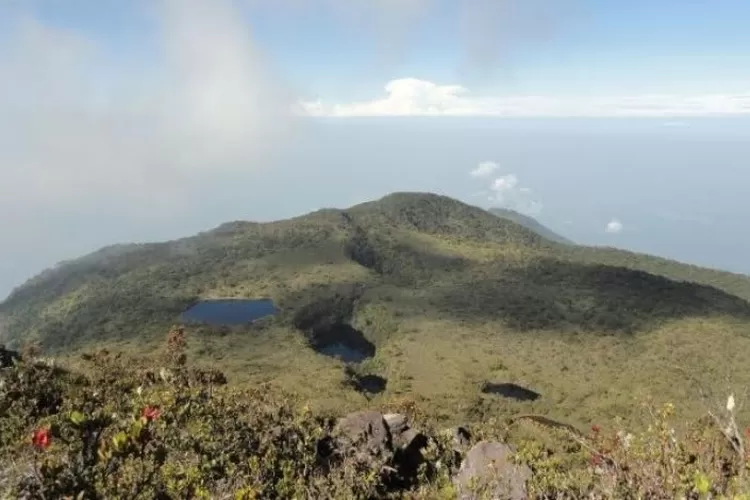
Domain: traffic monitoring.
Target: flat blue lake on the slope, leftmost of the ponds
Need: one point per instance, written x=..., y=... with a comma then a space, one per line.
x=226, y=312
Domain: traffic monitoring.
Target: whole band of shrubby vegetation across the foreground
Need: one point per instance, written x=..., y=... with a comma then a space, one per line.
x=158, y=427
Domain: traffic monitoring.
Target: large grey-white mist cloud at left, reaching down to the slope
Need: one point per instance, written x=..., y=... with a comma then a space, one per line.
x=87, y=139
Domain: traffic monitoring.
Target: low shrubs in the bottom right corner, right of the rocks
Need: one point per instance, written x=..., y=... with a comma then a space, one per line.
x=706, y=461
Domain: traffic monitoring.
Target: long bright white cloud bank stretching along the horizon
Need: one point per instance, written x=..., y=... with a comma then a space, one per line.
x=415, y=97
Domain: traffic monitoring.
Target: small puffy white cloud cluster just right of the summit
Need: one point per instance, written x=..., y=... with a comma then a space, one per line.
x=505, y=190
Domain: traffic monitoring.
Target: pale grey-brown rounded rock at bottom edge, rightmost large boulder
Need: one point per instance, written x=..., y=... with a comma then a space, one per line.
x=487, y=469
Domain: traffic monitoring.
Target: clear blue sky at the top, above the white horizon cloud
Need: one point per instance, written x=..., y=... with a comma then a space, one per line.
x=574, y=47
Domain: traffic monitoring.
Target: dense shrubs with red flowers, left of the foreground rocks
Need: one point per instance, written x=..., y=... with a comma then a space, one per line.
x=130, y=433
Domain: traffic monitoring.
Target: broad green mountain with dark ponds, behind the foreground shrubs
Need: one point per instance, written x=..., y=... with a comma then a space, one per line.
x=436, y=298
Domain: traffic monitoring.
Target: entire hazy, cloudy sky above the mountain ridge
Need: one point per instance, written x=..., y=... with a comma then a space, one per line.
x=614, y=123
